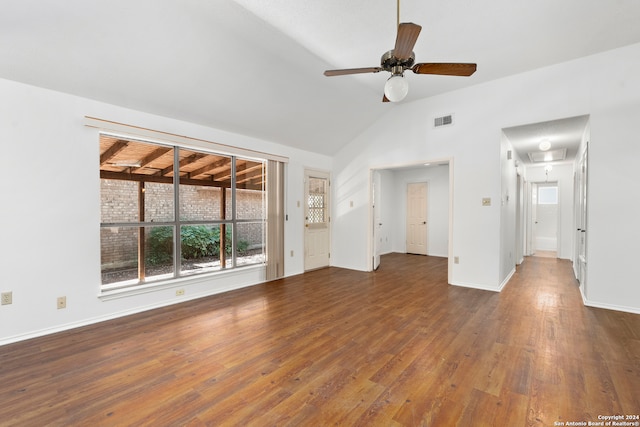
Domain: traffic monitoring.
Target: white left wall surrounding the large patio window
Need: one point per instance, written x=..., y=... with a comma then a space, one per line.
x=49, y=160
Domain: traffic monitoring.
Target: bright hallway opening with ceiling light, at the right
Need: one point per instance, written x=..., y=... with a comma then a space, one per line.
x=549, y=159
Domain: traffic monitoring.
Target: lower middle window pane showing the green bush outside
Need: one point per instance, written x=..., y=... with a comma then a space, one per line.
x=201, y=248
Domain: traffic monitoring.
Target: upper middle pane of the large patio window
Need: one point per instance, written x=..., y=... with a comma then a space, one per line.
x=201, y=177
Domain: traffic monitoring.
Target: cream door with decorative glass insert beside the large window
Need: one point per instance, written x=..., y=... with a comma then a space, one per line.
x=316, y=224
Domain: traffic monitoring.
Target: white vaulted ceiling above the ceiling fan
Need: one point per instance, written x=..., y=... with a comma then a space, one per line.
x=255, y=66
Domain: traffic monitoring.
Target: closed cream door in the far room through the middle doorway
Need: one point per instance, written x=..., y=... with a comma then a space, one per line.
x=417, y=218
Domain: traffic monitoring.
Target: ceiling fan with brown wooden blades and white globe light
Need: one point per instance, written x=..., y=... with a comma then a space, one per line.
x=402, y=58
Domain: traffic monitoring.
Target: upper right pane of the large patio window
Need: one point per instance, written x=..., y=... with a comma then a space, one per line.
x=250, y=179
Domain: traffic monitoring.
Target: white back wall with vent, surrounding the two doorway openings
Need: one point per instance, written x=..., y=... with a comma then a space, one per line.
x=605, y=86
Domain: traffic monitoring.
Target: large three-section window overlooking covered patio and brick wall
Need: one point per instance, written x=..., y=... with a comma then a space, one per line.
x=158, y=224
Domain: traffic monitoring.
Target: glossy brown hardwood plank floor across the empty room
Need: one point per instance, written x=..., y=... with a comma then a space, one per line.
x=398, y=347
